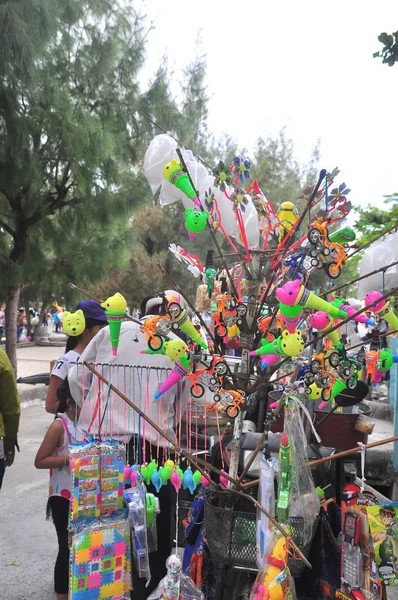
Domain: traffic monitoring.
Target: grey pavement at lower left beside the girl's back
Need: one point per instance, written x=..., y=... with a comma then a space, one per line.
x=27, y=542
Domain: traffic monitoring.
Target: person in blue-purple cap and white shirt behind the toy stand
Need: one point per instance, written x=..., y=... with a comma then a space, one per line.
x=95, y=320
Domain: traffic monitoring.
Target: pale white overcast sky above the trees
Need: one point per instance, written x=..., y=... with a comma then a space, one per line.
x=305, y=65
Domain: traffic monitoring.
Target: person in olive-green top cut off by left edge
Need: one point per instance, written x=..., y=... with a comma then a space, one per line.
x=9, y=414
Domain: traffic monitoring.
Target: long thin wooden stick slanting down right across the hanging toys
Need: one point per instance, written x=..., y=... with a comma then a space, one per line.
x=196, y=460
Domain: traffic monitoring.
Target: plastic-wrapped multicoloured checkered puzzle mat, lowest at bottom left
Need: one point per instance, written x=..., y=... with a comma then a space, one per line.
x=100, y=562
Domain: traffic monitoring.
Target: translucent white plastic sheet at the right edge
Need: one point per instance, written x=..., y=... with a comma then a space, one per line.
x=379, y=254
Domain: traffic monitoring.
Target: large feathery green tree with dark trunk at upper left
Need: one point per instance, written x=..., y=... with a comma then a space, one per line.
x=70, y=131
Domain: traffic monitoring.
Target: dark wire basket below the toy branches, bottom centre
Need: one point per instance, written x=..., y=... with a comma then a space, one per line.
x=231, y=532
